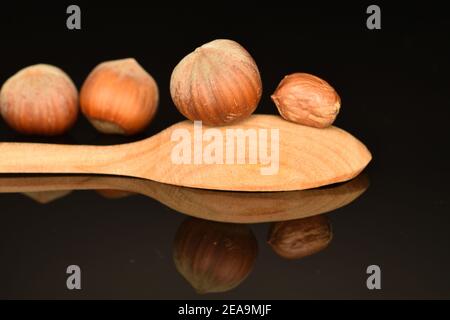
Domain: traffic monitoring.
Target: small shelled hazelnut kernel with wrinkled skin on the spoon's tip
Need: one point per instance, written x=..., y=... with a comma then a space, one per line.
x=306, y=99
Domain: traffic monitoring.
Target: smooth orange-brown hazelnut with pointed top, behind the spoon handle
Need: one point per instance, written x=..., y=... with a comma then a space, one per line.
x=119, y=97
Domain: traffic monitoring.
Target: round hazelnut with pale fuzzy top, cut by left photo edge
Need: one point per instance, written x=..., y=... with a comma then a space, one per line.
x=40, y=99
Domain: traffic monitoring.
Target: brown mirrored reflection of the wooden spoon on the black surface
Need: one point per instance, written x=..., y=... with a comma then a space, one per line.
x=226, y=206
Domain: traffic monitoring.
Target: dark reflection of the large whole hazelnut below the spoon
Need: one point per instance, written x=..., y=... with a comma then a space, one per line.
x=214, y=256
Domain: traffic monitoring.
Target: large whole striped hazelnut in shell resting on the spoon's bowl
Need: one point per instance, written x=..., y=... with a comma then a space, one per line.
x=218, y=83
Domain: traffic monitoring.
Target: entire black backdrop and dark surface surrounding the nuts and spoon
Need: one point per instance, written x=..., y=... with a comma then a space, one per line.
x=394, y=88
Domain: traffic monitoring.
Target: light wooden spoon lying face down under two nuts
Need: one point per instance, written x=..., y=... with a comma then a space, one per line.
x=308, y=158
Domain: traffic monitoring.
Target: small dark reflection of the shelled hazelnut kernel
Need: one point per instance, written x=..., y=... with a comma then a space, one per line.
x=296, y=239
